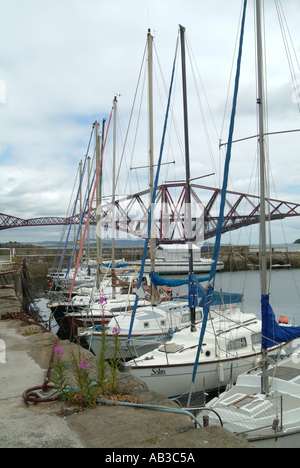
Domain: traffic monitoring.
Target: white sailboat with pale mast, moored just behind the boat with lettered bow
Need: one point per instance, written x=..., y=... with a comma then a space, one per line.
x=156, y=322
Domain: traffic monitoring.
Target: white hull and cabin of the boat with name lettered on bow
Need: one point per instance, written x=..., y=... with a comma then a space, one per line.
x=231, y=347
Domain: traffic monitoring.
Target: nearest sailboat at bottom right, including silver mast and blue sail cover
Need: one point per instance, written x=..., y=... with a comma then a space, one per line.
x=264, y=404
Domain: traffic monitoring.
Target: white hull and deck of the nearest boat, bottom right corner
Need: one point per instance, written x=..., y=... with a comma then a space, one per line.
x=266, y=420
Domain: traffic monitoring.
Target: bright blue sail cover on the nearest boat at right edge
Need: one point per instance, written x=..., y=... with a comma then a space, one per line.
x=272, y=333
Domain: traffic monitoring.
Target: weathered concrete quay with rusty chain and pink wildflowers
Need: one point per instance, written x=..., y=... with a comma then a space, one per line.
x=24, y=361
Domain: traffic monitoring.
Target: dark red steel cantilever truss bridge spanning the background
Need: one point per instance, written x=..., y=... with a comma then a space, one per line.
x=131, y=213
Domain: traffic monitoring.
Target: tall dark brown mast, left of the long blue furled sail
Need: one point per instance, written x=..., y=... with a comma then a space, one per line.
x=187, y=165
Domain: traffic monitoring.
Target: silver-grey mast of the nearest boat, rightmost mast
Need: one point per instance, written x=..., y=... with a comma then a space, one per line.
x=263, y=243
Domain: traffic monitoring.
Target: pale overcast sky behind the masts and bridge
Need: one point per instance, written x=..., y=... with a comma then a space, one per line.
x=62, y=62
